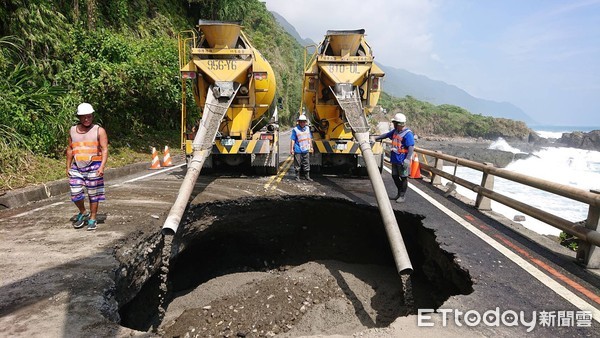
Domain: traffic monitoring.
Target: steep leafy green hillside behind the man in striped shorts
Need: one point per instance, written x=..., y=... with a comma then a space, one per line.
x=121, y=56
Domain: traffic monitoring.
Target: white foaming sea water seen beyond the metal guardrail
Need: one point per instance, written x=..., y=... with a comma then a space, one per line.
x=577, y=168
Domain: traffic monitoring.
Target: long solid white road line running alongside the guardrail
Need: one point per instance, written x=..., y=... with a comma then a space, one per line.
x=525, y=265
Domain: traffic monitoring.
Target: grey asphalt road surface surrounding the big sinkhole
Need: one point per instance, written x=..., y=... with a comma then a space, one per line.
x=54, y=279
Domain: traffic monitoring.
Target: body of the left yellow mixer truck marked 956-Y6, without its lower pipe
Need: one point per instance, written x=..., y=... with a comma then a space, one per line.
x=233, y=81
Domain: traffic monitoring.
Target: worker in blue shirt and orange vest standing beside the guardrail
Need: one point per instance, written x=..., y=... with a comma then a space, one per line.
x=403, y=144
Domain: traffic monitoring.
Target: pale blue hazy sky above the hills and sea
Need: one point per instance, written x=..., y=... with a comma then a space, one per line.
x=541, y=55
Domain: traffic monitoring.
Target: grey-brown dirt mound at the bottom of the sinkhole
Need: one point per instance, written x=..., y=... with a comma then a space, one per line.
x=305, y=300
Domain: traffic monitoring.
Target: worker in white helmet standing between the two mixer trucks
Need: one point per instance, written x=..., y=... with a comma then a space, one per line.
x=301, y=147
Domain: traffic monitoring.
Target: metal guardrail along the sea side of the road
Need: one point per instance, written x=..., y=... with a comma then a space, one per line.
x=589, y=247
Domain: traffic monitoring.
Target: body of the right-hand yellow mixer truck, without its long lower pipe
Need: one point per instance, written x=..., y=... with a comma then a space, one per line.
x=341, y=87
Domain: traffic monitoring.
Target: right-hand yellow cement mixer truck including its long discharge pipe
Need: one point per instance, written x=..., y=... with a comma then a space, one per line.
x=341, y=87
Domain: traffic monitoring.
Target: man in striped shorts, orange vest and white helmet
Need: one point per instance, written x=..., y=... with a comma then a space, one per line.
x=87, y=154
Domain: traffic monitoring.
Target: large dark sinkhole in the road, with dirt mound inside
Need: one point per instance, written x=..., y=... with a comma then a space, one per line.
x=295, y=264
